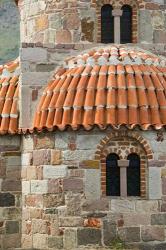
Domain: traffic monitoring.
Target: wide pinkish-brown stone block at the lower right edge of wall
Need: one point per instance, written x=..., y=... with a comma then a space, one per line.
x=152, y=233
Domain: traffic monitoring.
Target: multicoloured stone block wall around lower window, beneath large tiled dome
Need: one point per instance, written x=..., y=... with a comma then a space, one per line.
x=62, y=202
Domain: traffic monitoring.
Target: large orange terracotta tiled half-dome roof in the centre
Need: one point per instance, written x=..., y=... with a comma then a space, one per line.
x=108, y=87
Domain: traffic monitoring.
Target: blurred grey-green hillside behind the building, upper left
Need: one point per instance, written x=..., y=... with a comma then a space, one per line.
x=9, y=31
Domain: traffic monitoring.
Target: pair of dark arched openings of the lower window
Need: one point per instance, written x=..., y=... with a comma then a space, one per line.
x=114, y=176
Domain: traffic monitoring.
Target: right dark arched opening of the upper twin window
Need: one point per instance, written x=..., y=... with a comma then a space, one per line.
x=126, y=25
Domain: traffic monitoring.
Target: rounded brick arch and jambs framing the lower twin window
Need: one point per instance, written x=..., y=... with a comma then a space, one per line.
x=142, y=149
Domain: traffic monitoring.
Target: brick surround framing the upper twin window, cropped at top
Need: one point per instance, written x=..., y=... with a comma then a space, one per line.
x=136, y=5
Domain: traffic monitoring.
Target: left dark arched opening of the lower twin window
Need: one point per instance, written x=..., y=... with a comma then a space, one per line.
x=112, y=175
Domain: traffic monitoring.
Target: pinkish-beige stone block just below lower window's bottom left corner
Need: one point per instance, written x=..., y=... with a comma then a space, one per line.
x=96, y=205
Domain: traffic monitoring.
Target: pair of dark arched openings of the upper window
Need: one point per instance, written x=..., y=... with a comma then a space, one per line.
x=107, y=24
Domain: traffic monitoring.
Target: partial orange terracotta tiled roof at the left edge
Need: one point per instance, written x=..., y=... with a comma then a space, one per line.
x=9, y=88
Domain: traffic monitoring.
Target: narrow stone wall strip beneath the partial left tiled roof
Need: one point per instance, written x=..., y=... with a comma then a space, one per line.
x=10, y=192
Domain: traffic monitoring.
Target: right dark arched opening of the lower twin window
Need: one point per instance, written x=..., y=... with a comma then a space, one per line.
x=133, y=175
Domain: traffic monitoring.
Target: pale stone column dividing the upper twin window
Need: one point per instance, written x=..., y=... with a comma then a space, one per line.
x=117, y=13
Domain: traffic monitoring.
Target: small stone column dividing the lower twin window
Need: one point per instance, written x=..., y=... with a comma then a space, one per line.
x=123, y=164
